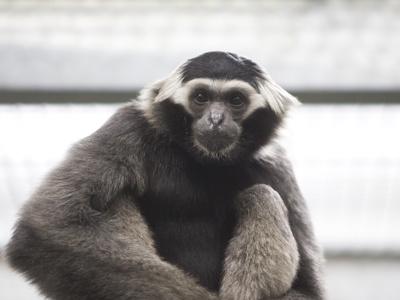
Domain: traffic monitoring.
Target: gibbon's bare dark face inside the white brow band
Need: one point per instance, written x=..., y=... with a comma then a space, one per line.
x=217, y=118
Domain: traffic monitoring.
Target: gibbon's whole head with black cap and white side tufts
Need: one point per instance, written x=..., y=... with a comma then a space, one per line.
x=219, y=107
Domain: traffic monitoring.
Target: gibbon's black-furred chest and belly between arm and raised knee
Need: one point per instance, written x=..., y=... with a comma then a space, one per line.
x=189, y=209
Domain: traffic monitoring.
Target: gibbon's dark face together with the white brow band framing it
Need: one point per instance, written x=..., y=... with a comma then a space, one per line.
x=218, y=108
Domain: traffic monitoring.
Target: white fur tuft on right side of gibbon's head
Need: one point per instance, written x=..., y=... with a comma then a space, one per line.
x=276, y=97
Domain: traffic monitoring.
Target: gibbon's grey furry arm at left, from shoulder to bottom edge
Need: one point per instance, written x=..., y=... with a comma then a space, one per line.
x=73, y=244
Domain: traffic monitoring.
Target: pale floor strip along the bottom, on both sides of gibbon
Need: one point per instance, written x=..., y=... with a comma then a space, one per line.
x=347, y=279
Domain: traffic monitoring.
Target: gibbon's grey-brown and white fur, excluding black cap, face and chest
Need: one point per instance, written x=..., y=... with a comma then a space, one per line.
x=82, y=235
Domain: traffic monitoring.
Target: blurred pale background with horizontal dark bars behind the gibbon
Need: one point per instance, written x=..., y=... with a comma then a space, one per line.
x=65, y=66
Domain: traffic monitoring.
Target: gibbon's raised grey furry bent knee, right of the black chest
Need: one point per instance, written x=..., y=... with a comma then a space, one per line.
x=262, y=257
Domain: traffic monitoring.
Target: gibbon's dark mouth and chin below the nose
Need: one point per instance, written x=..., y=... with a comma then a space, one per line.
x=215, y=140
